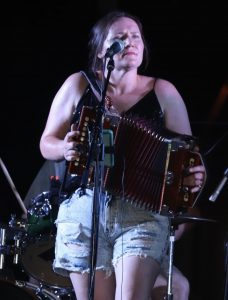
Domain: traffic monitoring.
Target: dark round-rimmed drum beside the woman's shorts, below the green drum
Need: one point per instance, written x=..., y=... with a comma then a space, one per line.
x=37, y=261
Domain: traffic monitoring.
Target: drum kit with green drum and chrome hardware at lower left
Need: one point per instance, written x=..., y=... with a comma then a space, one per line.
x=27, y=252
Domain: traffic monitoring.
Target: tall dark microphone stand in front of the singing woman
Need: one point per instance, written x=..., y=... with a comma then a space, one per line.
x=97, y=152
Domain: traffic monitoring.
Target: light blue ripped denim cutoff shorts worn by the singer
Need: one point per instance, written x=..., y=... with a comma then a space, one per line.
x=124, y=230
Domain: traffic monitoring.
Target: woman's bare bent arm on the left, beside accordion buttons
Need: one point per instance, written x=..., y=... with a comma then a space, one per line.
x=56, y=142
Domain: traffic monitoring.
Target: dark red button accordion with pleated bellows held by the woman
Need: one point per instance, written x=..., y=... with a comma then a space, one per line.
x=150, y=166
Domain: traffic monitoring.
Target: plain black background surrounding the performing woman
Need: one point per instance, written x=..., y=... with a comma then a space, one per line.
x=44, y=42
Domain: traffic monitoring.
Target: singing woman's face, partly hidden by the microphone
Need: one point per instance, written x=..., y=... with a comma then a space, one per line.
x=127, y=30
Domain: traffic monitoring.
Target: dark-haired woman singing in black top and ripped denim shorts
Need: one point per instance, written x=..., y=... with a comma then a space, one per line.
x=132, y=241
